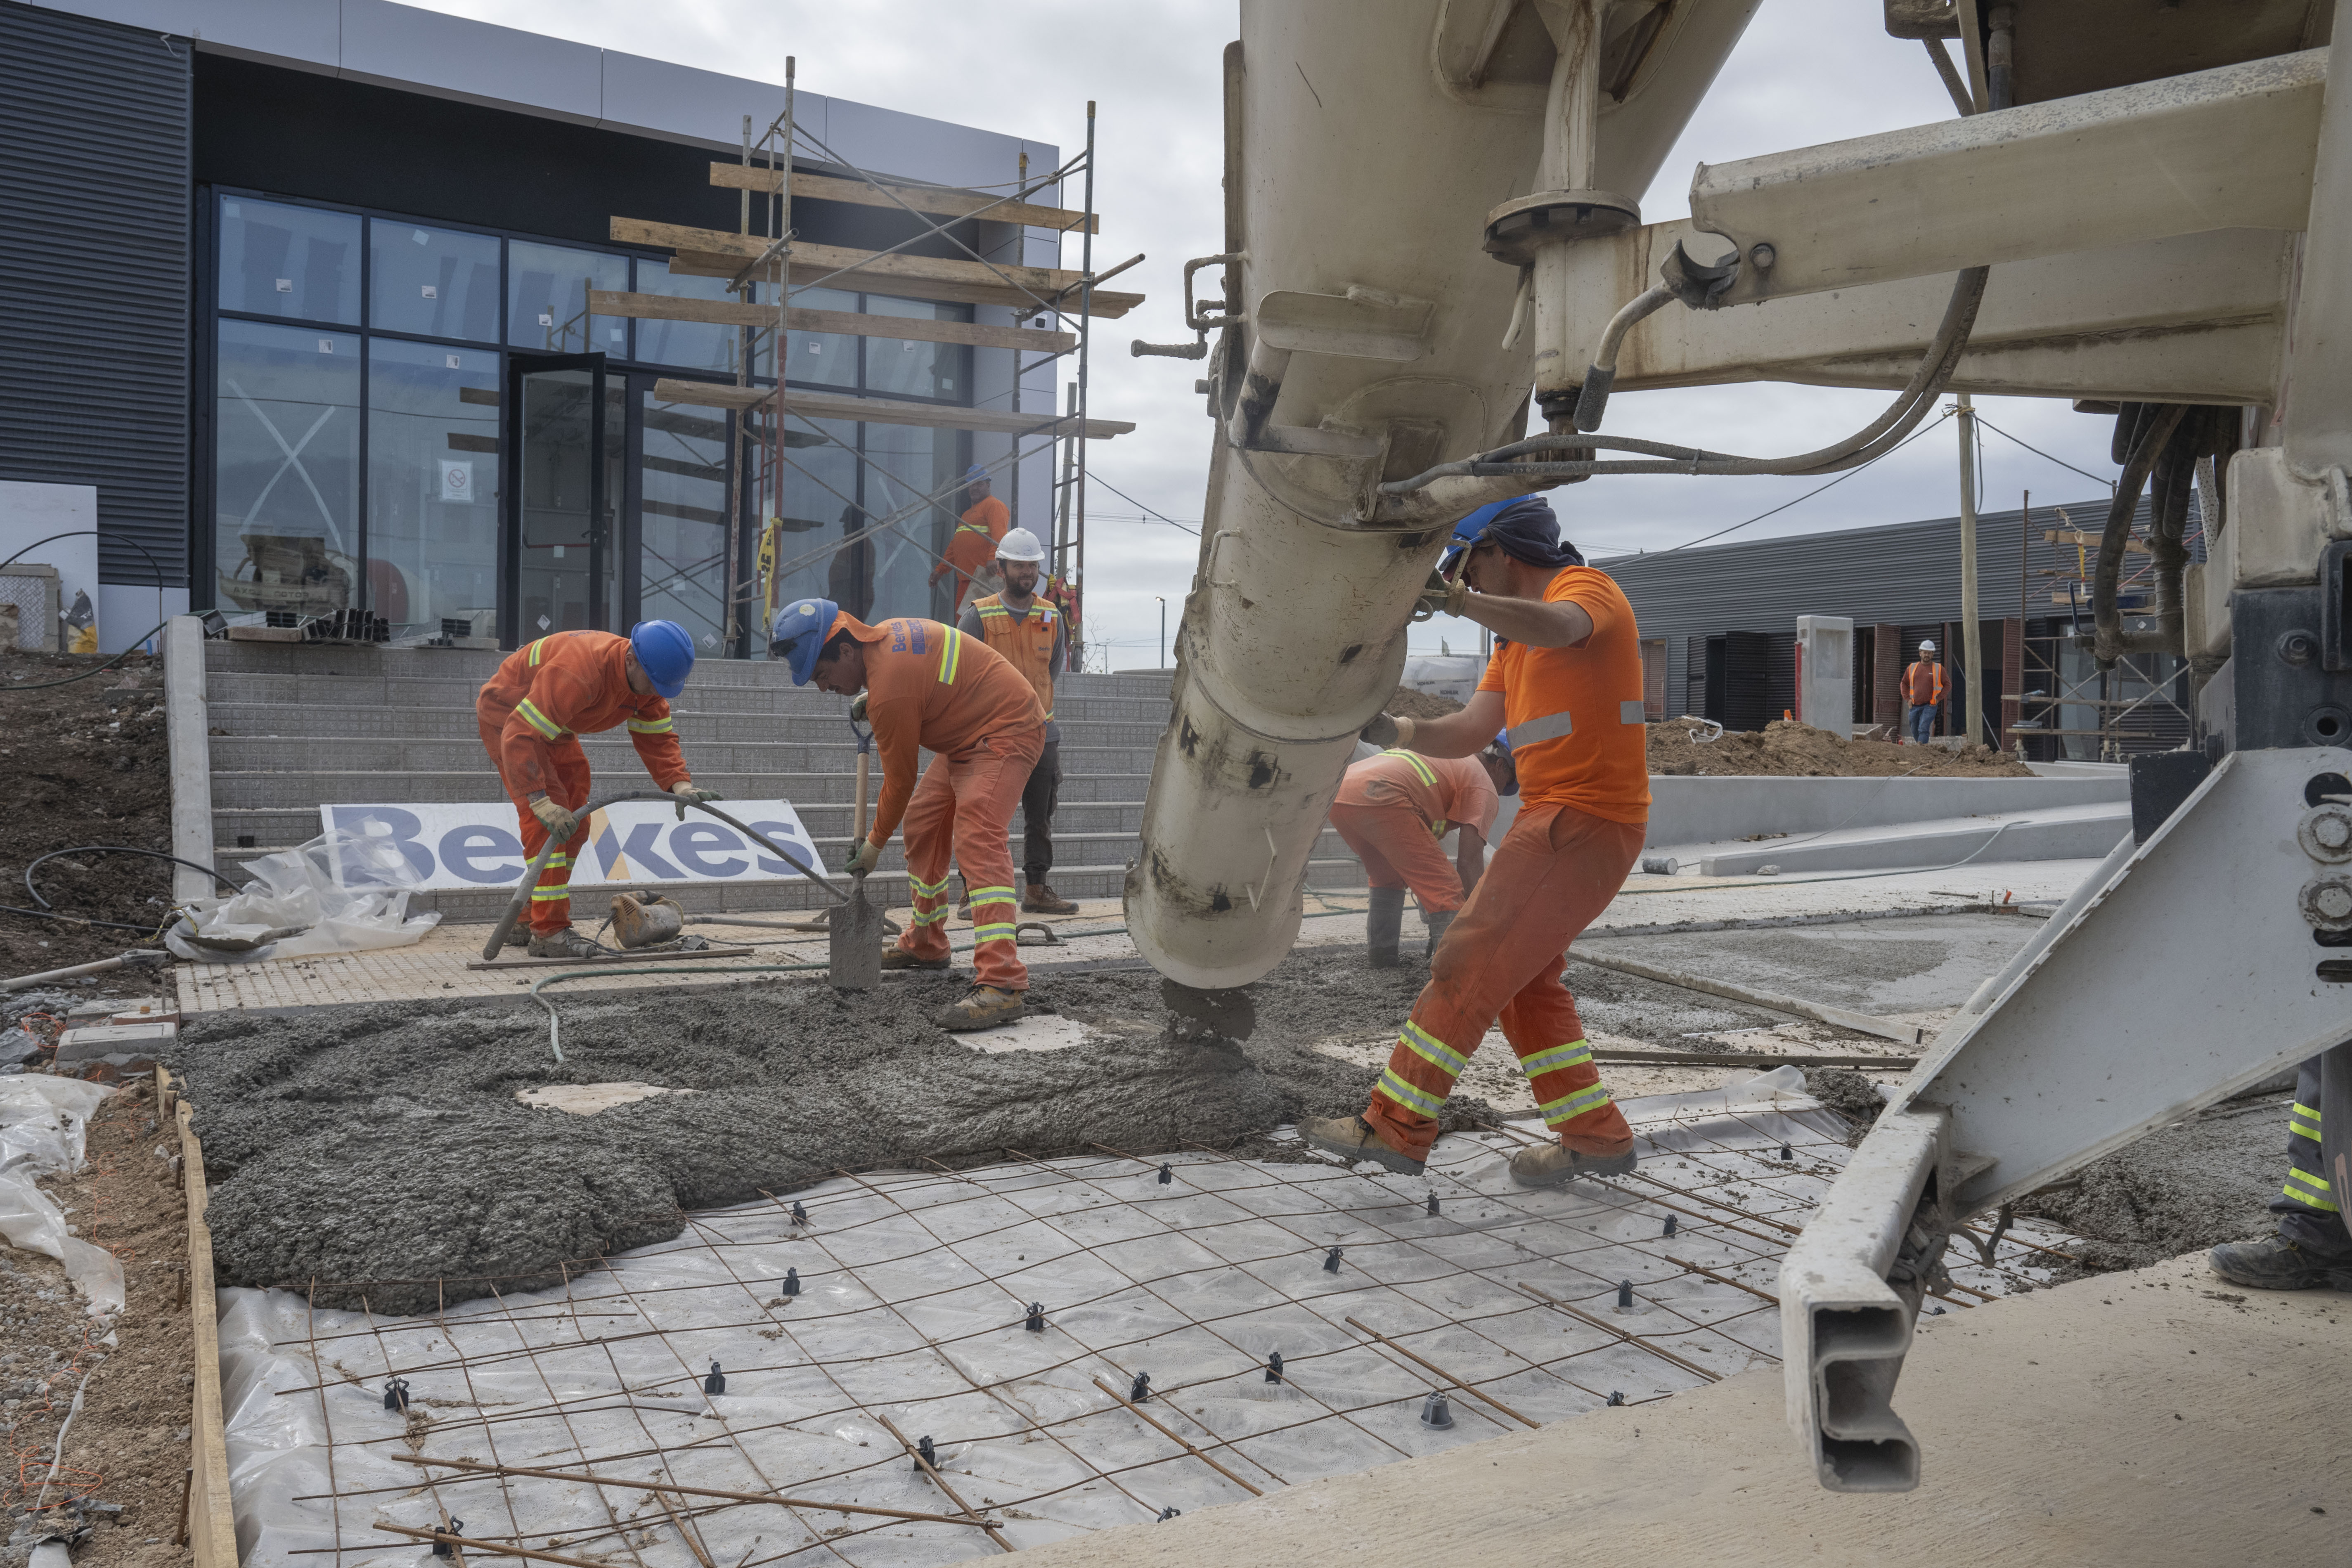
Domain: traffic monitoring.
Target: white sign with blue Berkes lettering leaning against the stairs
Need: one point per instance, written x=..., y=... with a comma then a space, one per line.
x=474, y=845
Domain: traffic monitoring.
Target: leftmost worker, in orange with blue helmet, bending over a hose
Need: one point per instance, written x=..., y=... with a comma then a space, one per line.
x=533, y=716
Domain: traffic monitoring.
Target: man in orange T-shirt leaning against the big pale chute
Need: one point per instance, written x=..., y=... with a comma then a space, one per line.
x=1568, y=685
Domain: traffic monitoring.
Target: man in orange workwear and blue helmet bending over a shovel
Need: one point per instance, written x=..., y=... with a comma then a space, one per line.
x=933, y=688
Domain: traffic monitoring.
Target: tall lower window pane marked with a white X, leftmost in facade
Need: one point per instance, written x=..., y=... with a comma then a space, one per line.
x=288, y=469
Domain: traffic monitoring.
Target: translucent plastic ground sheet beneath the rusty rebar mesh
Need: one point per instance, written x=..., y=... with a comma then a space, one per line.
x=911, y=1325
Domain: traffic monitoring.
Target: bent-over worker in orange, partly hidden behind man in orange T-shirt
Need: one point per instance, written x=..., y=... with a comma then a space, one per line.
x=1396, y=810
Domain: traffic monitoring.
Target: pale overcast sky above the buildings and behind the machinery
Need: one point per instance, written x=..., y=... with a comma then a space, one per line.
x=1808, y=72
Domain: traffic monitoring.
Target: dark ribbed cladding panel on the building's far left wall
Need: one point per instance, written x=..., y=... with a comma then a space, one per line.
x=95, y=276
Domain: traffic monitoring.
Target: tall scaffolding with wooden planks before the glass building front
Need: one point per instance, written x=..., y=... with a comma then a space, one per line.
x=777, y=422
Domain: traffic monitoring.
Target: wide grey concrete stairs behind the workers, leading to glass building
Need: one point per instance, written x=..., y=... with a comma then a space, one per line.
x=295, y=728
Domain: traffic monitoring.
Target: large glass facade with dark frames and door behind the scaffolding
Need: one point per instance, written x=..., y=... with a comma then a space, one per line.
x=366, y=457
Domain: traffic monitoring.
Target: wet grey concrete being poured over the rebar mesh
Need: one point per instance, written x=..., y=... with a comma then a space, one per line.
x=380, y=1151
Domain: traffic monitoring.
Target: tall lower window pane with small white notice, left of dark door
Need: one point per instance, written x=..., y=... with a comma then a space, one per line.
x=434, y=488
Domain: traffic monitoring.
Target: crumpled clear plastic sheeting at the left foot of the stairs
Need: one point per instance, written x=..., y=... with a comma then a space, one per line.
x=295, y=909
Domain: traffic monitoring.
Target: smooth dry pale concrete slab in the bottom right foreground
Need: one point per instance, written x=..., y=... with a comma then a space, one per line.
x=2062, y=1428
